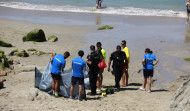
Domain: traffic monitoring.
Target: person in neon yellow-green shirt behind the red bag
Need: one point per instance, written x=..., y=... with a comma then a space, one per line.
x=102, y=54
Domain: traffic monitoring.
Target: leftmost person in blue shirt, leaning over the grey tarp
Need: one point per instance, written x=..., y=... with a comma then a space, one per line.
x=58, y=64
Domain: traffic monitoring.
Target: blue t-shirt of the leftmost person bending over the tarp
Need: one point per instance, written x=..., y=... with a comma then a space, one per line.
x=58, y=63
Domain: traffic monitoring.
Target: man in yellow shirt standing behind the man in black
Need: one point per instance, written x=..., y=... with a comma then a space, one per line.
x=125, y=76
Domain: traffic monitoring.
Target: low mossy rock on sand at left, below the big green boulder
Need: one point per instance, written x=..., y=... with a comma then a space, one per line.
x=19, y=52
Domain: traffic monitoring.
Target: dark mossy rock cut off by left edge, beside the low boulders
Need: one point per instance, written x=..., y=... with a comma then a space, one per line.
x=3, y=61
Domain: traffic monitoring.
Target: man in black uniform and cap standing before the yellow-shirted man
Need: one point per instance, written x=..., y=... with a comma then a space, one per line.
x=118, y=58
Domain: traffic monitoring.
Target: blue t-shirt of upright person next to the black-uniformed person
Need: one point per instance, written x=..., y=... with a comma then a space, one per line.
x=78, y=65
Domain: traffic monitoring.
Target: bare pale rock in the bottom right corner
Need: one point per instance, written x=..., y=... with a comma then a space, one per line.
x=181, y=98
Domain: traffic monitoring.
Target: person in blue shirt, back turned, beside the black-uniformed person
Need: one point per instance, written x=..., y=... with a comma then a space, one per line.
x=78, y=65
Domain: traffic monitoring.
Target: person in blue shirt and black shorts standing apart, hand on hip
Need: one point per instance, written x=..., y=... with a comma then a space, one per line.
x=148, y=68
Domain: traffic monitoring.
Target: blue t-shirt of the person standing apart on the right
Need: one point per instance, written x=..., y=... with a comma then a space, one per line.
x=149, y=58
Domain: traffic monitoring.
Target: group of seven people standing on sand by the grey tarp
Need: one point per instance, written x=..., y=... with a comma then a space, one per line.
x=95, y=59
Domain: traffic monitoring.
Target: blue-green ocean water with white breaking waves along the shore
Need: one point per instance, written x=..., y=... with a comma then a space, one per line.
x=169, y=8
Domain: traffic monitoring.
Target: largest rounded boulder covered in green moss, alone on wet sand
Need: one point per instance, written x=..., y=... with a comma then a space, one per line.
x=36, y=35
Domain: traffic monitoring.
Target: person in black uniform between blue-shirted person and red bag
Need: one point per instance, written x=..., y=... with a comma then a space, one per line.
x=92, y=61
